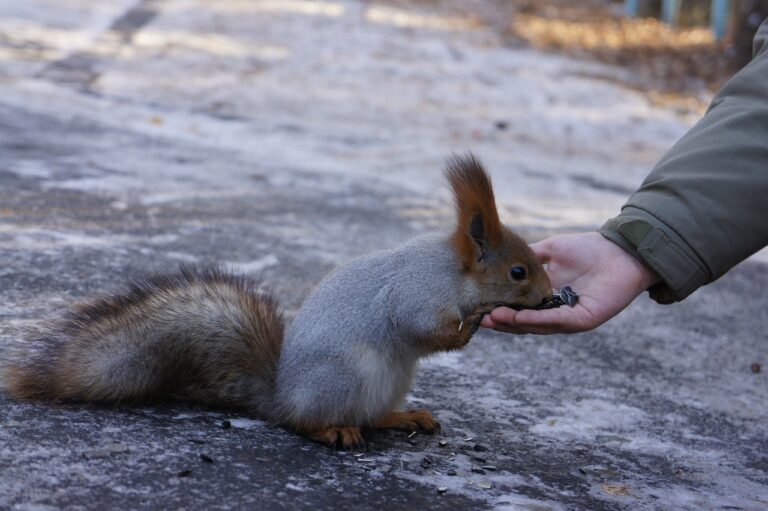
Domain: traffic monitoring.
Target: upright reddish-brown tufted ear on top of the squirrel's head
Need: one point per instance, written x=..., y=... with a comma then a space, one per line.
x=478, y=227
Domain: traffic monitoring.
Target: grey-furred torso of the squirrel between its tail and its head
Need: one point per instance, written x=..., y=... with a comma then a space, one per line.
x=371, y=315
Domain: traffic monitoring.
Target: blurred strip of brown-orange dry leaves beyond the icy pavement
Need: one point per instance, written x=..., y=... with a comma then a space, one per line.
x=671, y=65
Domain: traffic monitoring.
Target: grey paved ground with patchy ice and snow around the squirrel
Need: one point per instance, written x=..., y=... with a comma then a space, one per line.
x=284, y=137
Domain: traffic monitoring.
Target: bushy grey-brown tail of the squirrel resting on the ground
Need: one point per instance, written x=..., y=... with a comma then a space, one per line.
x=202, y=334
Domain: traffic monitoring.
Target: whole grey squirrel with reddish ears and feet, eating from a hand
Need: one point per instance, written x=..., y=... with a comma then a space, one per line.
x=341, y=367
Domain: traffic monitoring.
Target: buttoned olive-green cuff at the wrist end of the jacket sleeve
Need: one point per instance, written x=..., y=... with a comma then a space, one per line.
x=657, y=246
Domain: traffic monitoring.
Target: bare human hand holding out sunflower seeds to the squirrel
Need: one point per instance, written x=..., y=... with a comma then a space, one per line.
x=605, y=276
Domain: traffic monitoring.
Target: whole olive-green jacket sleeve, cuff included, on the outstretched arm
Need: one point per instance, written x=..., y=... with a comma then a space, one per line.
x=704, y=208
